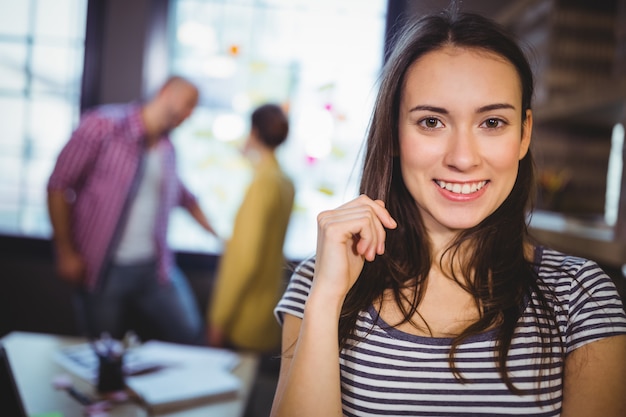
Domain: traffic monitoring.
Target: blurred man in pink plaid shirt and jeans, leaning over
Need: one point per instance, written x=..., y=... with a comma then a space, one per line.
x=109, y=199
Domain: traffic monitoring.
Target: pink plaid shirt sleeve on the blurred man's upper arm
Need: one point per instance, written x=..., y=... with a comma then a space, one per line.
x=80, y=152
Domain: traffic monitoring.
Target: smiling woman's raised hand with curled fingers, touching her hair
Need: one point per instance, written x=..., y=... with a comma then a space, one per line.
x=346, y=237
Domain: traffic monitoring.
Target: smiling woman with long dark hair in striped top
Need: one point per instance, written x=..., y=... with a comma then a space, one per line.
x=427, y=296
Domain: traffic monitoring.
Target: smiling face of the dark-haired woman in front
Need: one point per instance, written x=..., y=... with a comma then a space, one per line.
x=461, y=135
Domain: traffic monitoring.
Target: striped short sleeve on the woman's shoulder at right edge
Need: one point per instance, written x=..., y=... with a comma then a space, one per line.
x=595, y=308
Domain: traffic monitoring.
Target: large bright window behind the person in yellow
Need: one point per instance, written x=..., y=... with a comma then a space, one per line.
x=318, y=59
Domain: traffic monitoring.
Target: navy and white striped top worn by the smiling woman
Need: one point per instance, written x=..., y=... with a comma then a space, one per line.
x=392, y=373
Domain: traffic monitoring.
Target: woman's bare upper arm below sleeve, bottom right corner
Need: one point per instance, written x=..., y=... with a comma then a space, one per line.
x=595, y=379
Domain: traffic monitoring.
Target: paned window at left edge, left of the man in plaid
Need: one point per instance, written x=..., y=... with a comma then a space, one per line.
x=41, y=57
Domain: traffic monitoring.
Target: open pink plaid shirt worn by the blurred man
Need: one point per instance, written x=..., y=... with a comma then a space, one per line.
x=99, y=169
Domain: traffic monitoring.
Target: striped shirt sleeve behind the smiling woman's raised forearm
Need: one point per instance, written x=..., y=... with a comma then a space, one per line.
x=297, y=292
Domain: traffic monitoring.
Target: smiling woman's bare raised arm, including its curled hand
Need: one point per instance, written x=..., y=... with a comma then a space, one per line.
x=309, y=382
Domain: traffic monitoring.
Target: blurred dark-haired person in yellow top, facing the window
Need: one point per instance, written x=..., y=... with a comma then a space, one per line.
x=249, y=279
